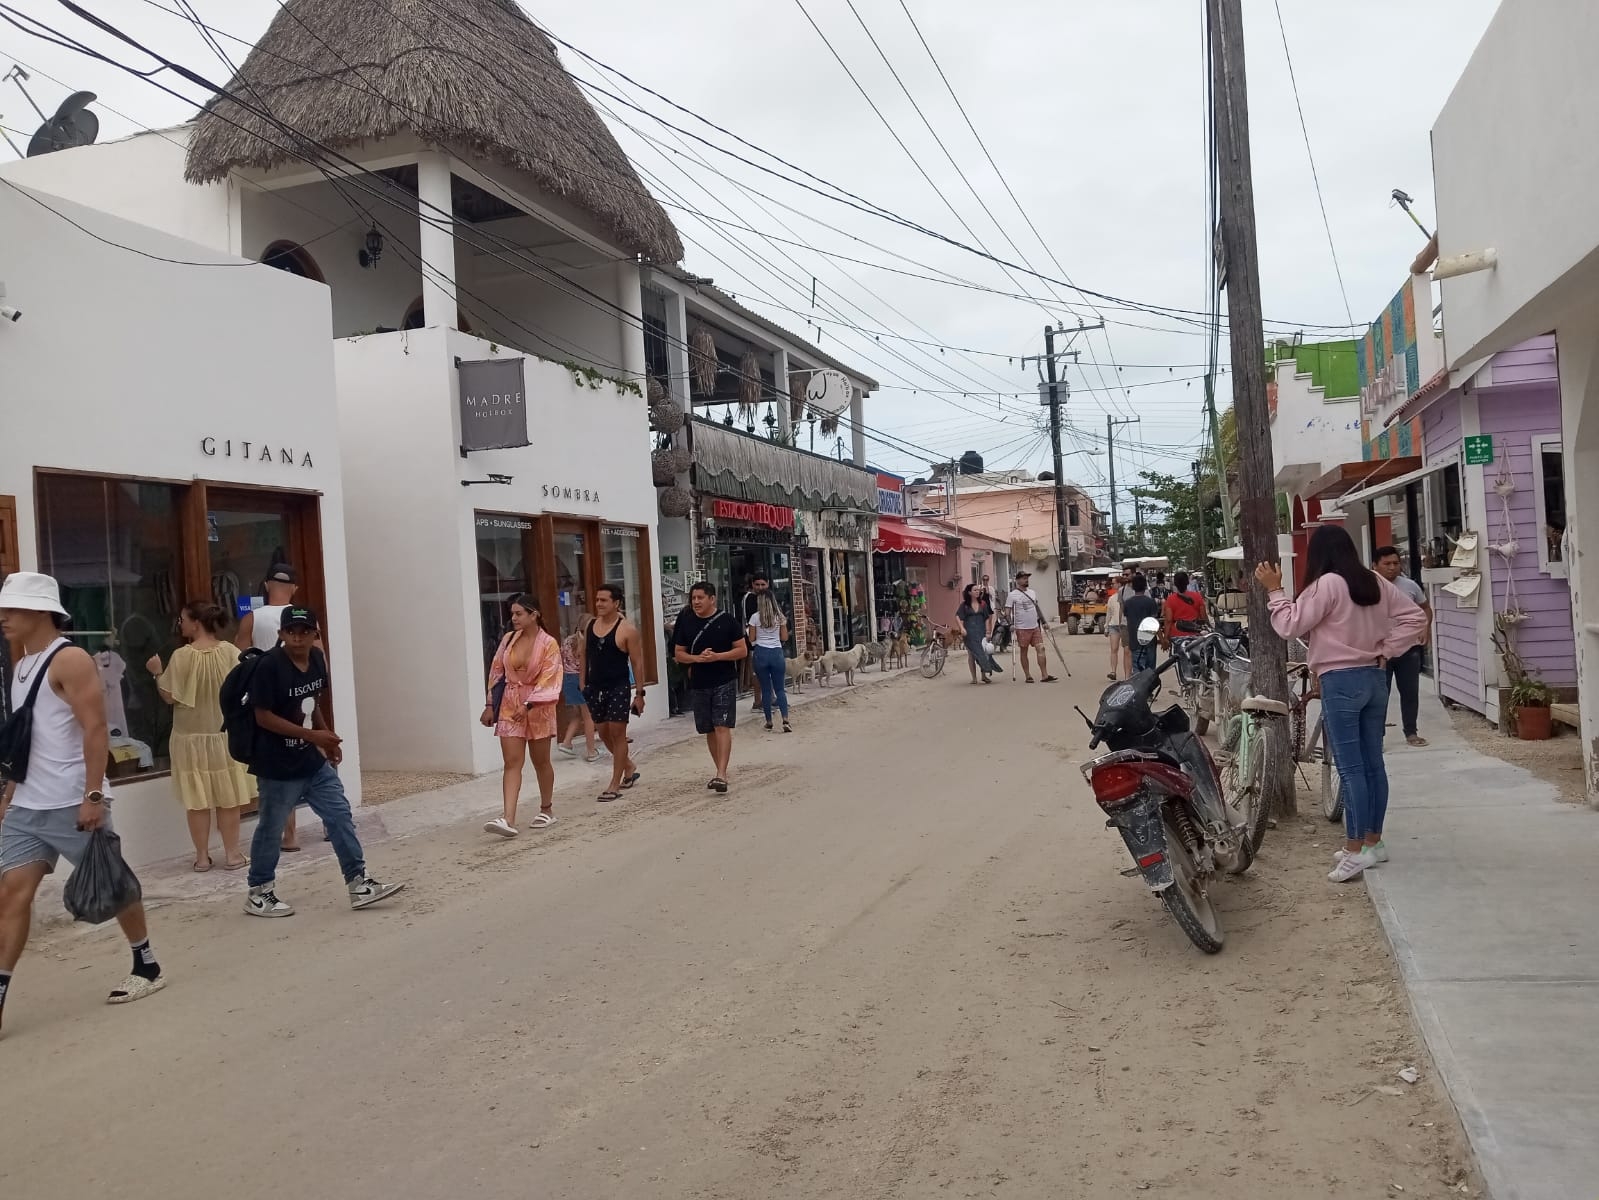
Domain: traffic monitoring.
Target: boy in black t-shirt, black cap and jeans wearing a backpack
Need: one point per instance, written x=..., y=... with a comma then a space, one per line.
x=295, y=759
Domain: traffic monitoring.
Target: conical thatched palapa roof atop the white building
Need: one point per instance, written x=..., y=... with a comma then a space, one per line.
x=474, y=74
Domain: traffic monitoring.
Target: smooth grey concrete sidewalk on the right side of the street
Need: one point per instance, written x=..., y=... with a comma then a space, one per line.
x=1493, y=913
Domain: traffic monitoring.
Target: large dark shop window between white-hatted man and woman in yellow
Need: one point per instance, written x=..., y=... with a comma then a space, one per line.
x=114, y=548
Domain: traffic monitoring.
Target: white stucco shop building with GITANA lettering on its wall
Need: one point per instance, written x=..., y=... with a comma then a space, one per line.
x=172, y=463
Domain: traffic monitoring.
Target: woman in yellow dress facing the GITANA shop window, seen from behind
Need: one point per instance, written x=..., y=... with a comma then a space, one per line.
x=204, y=772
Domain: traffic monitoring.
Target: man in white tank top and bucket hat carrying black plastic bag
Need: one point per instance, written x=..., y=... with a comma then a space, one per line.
x=65, y=799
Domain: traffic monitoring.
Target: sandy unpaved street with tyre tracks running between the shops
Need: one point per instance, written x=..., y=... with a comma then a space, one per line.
x=896, y=961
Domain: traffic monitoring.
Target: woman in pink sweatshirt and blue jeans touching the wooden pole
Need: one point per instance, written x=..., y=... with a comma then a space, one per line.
x=1355, y=622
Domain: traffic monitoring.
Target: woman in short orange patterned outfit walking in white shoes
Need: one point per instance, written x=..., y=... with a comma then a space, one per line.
x=528, y=663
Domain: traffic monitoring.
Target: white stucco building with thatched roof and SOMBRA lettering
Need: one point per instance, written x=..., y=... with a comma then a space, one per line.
x=457, y=215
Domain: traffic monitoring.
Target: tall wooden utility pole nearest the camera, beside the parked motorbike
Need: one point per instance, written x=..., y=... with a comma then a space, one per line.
x=1246, y=334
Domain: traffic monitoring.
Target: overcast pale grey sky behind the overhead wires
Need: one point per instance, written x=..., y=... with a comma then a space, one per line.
x=1091, y=111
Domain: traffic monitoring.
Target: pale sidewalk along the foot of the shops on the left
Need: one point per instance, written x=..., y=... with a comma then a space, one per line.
x=407, y=817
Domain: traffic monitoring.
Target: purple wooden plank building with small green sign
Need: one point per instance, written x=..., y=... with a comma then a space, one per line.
x=1513, y=502
